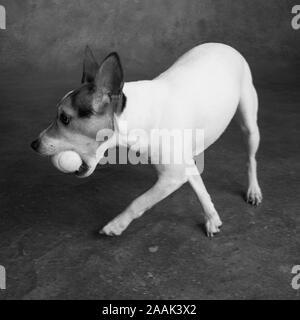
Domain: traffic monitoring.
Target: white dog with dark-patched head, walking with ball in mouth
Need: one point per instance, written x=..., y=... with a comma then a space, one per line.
x=205, y=88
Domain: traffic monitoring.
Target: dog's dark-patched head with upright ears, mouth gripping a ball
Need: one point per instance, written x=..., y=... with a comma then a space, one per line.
x=83, y=112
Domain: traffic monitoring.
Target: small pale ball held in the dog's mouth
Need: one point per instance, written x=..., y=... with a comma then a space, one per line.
x=67, y=161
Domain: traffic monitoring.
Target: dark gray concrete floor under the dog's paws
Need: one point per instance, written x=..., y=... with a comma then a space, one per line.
x=49, y=221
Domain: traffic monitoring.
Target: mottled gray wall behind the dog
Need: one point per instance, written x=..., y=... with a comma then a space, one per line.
x=148, y=34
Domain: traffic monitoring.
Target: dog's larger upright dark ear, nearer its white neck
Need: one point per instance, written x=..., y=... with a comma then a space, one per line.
x=109, y=79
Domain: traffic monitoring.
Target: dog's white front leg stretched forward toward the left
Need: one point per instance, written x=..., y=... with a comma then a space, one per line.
x=169, y=180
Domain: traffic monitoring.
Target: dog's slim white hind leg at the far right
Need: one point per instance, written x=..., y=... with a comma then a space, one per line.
x=247, y=119
